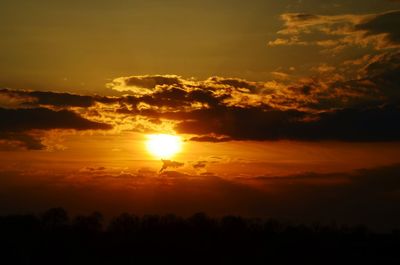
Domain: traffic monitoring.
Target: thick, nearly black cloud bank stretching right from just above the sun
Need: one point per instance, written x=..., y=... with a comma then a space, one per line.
x=352, y=124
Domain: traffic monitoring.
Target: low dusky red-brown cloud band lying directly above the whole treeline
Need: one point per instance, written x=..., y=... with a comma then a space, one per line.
x=367, y=196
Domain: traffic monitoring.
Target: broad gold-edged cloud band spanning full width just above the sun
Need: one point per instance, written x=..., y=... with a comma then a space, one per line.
x=356, y=100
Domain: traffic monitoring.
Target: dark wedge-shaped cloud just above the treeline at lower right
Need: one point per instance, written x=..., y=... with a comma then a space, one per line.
x=368, y=196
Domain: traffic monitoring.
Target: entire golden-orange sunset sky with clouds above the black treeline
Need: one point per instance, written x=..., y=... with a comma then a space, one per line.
x=282, y=108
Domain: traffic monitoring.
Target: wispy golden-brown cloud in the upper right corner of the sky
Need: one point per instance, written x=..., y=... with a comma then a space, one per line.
x=339, y=31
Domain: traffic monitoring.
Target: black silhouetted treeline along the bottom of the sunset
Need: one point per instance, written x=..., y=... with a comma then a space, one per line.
x=55, y=238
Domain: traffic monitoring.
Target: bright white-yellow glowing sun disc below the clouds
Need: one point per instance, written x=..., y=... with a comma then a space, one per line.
x=163, y=146
